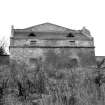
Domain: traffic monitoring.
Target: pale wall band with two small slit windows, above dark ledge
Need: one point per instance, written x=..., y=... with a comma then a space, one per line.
x=58, y=43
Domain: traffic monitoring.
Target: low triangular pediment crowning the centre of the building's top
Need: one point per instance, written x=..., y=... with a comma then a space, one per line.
x=48, y=27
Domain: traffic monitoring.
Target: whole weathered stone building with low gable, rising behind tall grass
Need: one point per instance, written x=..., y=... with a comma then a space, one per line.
x=54, y=45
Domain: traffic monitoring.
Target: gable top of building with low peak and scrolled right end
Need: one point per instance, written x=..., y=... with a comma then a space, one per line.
x=53, y=28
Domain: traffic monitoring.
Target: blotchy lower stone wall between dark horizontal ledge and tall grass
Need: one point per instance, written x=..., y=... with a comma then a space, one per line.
x=55, y=56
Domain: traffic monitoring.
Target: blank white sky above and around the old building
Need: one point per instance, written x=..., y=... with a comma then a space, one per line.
x=73, y=14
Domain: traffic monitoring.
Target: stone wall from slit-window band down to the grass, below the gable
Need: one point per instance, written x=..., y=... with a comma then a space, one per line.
x=27, y=50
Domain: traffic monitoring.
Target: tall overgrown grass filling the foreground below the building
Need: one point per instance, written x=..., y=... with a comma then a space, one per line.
x=20, y=85
